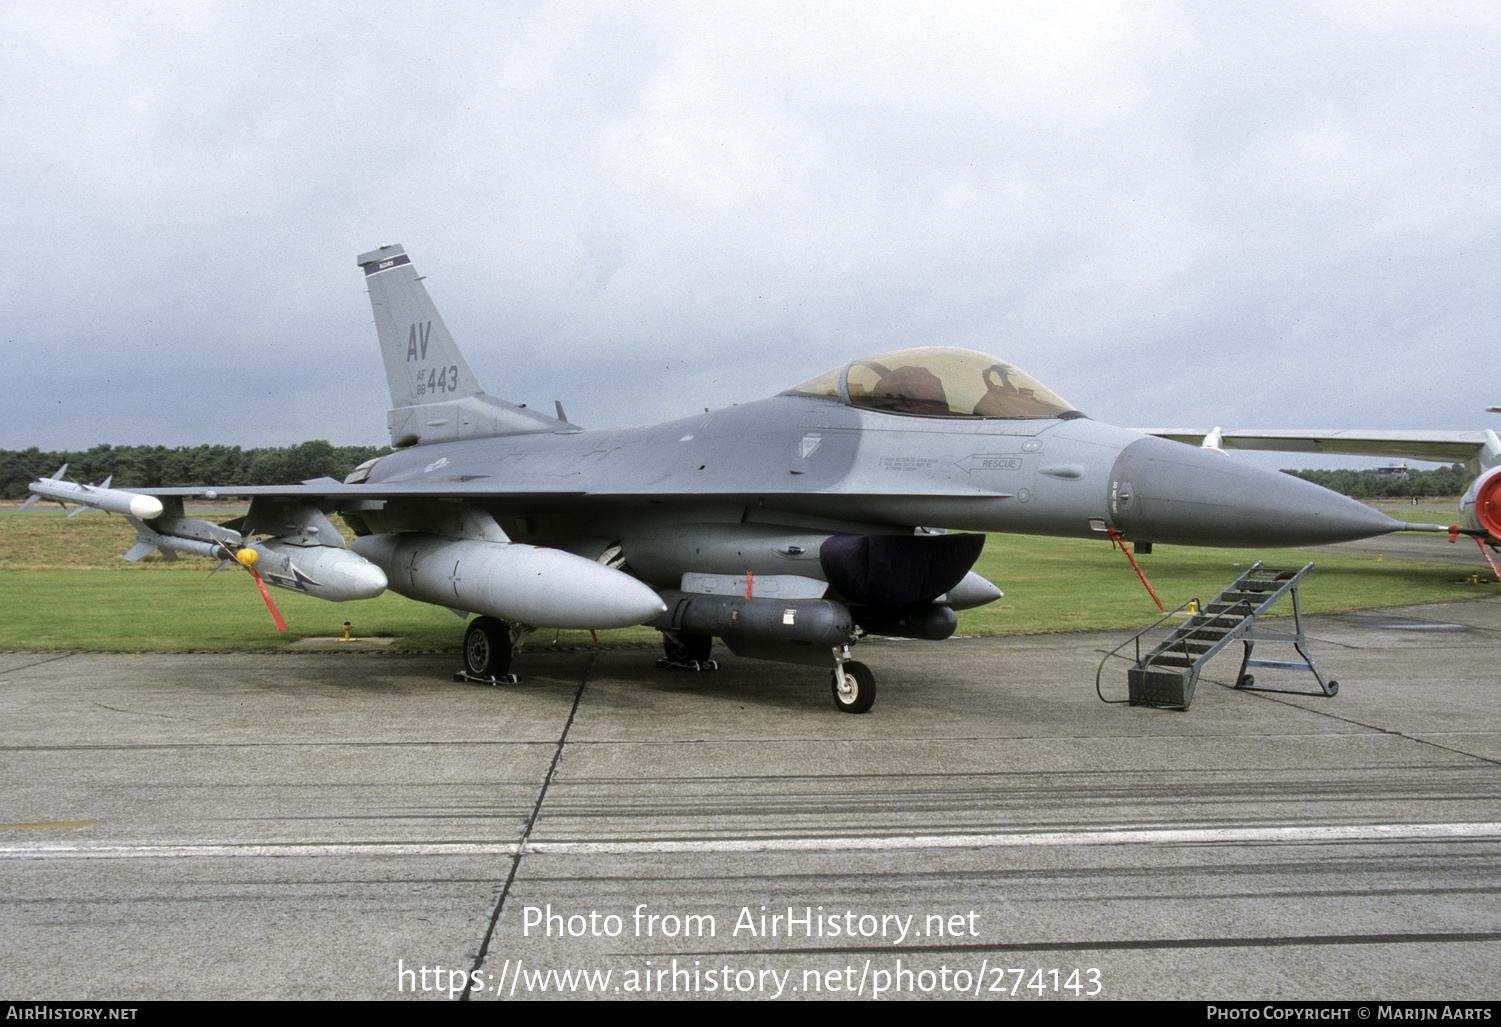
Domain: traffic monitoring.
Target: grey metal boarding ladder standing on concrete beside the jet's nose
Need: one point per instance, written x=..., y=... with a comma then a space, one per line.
x=1167, y=673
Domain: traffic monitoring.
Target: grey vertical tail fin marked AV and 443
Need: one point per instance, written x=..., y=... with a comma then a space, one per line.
x=433, y=393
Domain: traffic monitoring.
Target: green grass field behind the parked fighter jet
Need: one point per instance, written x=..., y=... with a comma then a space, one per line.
x=64, y=586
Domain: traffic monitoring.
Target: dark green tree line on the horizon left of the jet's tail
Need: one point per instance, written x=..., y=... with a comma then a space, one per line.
x=184, y=466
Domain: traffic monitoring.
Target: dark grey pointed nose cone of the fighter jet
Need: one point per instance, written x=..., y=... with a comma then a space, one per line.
x=1166, y=492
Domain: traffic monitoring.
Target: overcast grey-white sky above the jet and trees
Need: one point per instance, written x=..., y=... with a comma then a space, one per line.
x=1191, y=214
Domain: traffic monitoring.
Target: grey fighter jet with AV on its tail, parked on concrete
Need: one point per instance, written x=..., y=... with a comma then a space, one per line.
x=789, y=528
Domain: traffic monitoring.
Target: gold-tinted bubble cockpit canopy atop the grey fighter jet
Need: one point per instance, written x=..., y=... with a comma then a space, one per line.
x=939, y=382
